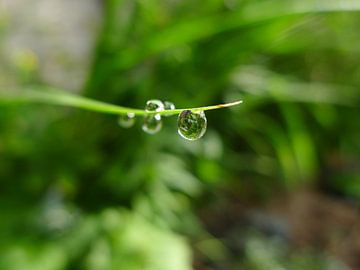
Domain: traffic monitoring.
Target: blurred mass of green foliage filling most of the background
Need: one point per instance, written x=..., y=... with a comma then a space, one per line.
x=78, y=192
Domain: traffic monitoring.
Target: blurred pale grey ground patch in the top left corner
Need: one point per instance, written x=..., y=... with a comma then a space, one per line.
x=54, y=37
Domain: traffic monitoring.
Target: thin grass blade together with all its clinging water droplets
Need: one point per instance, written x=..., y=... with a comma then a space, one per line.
x=191, y=122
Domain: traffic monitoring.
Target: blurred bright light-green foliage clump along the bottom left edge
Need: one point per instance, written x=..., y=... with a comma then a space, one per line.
x=114, y=240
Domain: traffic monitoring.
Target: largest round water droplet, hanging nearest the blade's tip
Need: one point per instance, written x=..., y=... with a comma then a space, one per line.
x=192, y=125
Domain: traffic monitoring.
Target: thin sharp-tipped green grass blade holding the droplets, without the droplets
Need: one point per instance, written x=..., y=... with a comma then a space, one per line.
x=62, y=98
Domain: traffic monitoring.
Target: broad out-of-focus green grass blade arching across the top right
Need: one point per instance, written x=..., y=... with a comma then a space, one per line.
x=190, y=30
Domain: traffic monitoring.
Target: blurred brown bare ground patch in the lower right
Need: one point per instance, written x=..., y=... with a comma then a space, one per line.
x=305, y=220
